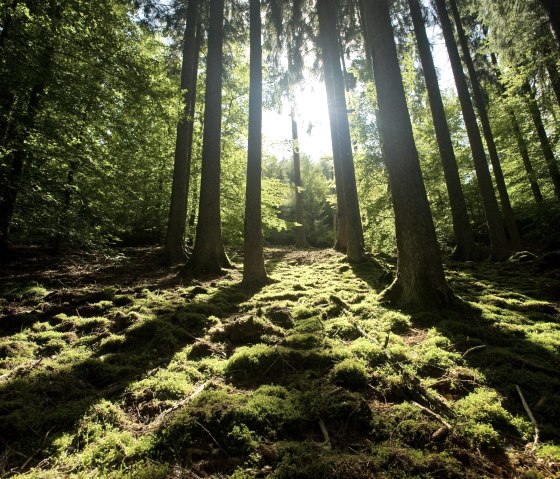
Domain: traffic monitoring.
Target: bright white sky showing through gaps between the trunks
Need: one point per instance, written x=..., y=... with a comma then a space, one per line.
x=313, y=124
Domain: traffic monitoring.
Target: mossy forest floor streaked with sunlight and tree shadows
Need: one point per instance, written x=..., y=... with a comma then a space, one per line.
x=112, y=367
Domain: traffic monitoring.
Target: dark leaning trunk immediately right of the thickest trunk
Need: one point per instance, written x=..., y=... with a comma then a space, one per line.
x=464, y=238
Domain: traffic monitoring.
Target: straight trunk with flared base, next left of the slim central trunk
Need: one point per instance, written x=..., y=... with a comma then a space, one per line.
x=209, y=253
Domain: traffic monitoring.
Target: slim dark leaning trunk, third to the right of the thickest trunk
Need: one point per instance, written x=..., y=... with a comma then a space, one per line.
x=509, y=217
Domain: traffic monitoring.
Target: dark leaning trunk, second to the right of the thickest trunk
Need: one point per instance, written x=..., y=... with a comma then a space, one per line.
x=498, y=241
